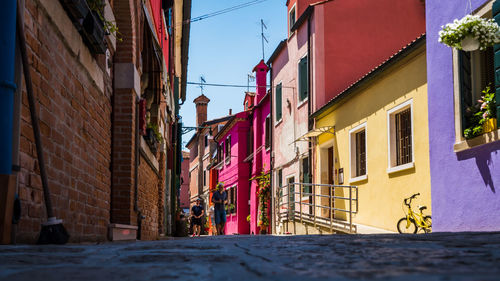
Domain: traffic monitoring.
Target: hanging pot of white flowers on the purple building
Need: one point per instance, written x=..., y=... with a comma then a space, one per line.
x=470, y=33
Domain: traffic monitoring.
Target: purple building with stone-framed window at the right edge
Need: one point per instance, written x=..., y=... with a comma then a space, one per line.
x=465, y=173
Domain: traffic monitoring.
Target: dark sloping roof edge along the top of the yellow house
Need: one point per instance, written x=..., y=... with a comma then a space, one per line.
x=396, y=57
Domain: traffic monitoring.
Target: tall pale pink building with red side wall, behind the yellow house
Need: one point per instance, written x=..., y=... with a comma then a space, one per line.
x=330, y=45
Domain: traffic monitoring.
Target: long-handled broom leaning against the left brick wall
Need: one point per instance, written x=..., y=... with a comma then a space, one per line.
x=53, y=232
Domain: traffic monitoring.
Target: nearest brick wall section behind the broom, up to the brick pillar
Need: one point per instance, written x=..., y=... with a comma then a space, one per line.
x=75, y=123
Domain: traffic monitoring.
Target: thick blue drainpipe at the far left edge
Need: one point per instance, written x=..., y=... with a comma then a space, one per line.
x=7, y=86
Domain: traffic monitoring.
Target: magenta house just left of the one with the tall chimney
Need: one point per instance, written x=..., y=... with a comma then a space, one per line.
x=233, y=142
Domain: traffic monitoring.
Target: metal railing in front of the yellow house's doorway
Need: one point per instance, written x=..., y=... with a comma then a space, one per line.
x=299, y=202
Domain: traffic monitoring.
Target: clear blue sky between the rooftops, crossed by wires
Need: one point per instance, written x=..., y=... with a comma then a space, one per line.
x=225, y=48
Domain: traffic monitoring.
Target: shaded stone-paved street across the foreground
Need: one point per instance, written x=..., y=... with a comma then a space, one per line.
x=439, y=256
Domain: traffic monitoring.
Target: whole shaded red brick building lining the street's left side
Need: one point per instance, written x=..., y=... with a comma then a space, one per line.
x=108, y=117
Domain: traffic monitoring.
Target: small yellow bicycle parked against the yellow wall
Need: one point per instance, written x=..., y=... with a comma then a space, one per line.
x=414, y=221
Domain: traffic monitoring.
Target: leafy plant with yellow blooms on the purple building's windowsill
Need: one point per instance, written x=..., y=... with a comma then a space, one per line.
x=481, y=118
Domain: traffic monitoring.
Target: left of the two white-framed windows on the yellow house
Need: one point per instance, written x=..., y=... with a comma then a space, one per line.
x=357, y=141
